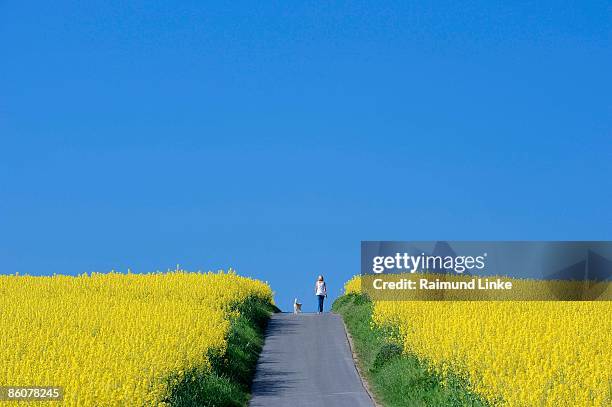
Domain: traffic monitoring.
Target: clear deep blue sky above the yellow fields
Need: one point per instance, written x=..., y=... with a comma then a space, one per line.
x=273, y=136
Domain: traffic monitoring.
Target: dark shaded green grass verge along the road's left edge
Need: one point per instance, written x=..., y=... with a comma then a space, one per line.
x=232, y=372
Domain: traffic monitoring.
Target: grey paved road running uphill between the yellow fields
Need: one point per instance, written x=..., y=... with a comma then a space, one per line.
x=306, y=361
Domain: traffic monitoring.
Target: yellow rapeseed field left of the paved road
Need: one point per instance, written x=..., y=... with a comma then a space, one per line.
x=114, y=339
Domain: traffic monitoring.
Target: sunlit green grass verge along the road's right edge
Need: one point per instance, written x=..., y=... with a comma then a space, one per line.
x=396, y=379
